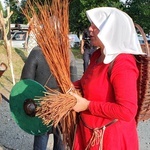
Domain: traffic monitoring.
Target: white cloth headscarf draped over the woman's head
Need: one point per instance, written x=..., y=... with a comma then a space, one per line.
x=117, y=32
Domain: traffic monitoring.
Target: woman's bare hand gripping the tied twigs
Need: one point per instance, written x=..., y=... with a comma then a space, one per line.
x=82, y=103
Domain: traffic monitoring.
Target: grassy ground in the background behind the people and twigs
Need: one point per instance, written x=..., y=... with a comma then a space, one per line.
x=18, y=58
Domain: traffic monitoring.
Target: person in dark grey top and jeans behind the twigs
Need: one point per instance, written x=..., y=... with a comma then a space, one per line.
x=36, y=68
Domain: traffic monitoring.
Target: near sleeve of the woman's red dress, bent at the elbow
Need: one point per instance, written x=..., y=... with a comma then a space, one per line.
x=123, y=78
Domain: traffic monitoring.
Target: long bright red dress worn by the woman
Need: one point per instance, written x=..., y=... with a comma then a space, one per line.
x=113, y=96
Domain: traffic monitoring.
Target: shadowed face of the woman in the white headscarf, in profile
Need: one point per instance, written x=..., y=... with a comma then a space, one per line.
x=93, y=36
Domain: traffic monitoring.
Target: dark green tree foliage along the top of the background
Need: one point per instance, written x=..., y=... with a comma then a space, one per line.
x=139, y=10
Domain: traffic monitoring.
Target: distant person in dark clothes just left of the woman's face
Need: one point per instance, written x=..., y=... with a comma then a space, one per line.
x=87, y=48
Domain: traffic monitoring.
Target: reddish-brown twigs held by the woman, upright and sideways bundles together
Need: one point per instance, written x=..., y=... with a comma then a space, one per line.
x=51, y=28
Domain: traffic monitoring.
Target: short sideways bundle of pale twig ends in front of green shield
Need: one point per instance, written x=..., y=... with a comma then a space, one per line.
x=55, y=106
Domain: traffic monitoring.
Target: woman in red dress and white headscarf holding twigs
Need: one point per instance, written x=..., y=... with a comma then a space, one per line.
x=108, y=107
